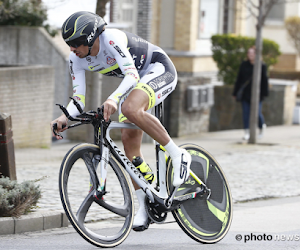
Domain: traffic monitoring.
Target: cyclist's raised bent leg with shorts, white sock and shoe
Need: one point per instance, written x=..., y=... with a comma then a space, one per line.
x=159, y=81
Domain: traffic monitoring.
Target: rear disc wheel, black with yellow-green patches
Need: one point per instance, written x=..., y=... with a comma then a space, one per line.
x=204, y=220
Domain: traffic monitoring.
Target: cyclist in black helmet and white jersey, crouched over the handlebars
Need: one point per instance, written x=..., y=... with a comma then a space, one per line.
x=148, y=75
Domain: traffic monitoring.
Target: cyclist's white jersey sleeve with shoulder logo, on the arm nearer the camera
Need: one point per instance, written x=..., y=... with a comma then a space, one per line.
x=118, y=47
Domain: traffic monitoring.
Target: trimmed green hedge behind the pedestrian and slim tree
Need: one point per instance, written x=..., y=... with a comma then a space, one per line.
x=230, y=50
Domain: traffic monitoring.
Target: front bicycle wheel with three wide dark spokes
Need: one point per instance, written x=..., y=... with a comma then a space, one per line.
x=80, y=203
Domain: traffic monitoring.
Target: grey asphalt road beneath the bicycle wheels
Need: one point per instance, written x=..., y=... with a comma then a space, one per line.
x=265, y=224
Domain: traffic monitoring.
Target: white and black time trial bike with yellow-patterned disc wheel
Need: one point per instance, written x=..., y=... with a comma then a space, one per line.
x=94, y=187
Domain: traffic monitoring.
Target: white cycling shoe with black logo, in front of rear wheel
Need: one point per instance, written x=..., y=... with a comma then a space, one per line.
x=181, y=165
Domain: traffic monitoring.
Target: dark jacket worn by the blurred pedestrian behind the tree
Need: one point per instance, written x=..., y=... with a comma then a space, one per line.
x=245, y=73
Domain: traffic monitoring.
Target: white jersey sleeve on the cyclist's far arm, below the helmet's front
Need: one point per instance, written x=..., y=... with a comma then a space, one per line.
x=79, y=86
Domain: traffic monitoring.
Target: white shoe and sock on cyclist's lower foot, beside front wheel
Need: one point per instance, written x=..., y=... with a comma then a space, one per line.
x=141, y=221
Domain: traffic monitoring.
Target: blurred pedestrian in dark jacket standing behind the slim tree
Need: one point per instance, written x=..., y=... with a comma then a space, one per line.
x=242, y=91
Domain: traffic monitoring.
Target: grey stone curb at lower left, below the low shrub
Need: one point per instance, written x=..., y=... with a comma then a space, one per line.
x=32, y=222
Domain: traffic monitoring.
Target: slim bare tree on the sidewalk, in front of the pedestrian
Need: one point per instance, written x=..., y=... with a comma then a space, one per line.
x=259, y=9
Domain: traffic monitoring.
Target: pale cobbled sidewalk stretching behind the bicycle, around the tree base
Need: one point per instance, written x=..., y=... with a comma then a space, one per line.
x=267, y=169
